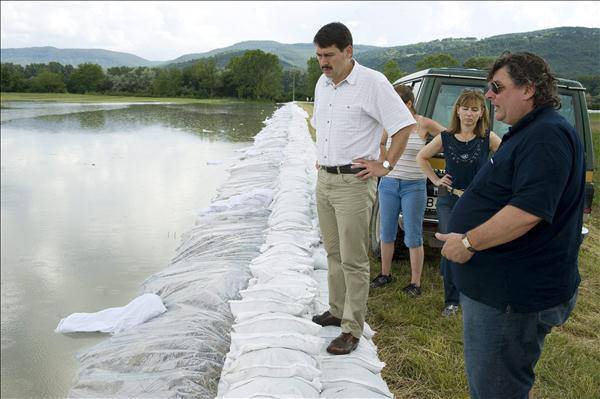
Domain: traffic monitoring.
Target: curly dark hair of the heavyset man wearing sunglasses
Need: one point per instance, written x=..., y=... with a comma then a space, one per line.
x=527, y=68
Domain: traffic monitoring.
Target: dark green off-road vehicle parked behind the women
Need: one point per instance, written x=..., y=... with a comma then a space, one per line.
x=436, y=91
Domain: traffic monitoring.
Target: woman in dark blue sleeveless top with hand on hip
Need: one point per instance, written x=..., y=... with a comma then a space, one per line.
x=466, y=146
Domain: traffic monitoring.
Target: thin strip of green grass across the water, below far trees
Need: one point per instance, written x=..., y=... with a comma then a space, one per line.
x=97, y=98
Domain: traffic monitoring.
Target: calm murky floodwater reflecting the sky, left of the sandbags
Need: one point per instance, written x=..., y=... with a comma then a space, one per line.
x=94, y=199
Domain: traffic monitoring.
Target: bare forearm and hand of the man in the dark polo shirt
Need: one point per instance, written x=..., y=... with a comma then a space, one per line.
x=508, y=224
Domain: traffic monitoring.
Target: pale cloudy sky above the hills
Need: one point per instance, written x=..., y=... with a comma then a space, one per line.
x=160, y=31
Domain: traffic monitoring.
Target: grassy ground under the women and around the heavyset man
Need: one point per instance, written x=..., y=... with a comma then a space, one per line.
x=423, y=351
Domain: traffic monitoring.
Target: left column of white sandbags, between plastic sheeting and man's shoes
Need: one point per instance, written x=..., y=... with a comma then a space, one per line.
x=274, y=344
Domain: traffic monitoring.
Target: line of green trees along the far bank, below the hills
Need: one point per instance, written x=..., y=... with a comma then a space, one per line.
x=253, y=75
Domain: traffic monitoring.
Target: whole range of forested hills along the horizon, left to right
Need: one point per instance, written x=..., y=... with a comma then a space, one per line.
x=570, y=51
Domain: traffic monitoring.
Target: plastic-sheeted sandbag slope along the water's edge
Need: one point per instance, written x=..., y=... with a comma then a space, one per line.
x=181, y=352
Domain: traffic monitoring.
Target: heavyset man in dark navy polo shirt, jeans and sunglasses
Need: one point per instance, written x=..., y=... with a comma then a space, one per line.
x=516, y=232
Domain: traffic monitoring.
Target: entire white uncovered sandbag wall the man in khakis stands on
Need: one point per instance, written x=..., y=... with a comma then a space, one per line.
x=276, y=351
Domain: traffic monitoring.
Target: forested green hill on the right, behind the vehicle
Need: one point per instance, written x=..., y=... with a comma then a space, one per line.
x=570, y=51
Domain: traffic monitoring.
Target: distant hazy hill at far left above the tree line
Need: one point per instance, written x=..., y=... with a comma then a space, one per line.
x=44, y=55
